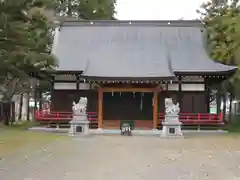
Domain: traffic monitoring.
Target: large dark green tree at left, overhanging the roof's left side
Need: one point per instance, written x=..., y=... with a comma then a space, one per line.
x=25, y=43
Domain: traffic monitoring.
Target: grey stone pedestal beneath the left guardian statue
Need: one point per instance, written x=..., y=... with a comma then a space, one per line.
x=79, y=125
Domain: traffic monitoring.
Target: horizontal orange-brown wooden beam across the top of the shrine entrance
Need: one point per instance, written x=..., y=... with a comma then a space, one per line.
x=115, y=89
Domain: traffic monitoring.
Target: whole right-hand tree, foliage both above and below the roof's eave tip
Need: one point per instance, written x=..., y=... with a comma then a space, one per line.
x=220, y=21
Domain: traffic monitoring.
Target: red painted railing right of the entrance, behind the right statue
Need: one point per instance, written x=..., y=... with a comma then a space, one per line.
x=197, y=118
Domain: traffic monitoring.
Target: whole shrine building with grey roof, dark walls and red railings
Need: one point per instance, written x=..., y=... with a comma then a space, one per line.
x=127, y=68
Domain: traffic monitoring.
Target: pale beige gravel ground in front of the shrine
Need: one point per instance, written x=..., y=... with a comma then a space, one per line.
x=128, y=158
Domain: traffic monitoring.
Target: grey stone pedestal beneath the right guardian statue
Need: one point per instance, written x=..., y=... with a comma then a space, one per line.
x=171, y=126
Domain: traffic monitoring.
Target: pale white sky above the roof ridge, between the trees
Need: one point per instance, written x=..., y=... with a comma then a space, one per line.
x=157, y=9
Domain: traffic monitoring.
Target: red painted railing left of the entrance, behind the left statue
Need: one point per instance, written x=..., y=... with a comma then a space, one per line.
x=60, y=116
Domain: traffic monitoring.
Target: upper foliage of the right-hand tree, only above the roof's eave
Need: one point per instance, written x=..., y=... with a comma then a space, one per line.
x=220, y=23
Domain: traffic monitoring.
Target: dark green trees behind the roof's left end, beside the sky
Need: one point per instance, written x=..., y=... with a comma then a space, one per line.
x=86, y=9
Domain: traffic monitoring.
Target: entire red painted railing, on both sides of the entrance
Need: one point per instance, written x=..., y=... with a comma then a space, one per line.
x=185, y=118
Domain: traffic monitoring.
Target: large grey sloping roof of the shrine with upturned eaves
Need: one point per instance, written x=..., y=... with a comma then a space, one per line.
x=142, y=49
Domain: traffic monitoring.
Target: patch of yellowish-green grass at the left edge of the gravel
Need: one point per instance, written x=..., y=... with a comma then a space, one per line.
x=16, y=137
